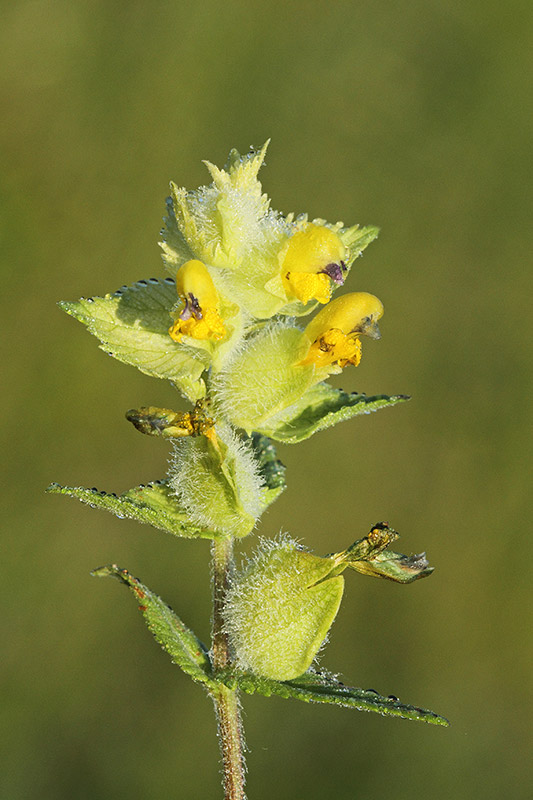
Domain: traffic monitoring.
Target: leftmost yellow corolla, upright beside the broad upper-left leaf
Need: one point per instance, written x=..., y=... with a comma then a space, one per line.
x=200, y=316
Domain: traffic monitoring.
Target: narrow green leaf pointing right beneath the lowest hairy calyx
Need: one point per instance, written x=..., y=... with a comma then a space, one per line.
x=318, y=687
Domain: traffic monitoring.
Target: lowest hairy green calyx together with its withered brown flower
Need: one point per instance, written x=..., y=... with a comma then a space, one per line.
x=281, y=606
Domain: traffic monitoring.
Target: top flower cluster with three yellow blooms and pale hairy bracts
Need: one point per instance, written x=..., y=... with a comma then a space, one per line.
x=243, y=273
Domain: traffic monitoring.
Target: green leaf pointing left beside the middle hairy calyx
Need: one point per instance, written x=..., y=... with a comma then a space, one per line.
x=154, y=503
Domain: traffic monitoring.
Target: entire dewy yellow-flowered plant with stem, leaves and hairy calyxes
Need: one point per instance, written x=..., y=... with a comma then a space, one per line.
x=246, y=328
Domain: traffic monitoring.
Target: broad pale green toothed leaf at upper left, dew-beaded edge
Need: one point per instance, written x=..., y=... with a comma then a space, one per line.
x=132, y=325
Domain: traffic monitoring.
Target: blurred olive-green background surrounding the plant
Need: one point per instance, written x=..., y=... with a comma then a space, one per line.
x=412, y=116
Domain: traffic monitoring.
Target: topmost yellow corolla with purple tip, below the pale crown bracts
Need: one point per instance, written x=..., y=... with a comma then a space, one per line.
x=312, y=262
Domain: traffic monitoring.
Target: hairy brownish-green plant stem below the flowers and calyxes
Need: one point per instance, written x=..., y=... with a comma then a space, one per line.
x=226, y=700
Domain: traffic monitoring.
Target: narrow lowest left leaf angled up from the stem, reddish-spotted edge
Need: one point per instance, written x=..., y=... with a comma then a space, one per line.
x=184, y=648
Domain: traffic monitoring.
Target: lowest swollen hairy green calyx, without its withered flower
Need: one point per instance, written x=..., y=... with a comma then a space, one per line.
x=280, y=608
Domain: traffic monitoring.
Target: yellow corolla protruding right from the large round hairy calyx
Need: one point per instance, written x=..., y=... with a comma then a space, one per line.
x=334, y=334
